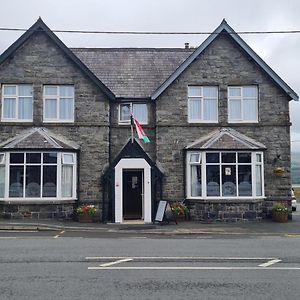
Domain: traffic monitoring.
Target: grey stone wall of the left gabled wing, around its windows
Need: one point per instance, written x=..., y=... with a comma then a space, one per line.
x=39, y=62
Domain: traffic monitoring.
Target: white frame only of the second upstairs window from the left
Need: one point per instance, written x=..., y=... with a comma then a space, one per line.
x=57, y=97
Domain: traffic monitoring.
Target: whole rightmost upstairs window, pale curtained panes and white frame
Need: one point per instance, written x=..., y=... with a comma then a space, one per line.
x=243, y=104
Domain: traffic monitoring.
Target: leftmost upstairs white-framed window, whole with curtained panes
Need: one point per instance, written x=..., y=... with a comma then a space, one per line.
x=17, y=102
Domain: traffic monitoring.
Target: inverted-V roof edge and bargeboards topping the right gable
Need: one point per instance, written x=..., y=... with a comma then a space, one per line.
x=224, y=27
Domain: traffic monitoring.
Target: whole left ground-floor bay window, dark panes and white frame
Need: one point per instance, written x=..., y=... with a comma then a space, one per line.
x=37, y=175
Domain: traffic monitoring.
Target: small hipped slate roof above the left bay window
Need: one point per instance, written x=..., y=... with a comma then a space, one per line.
x=38, y=138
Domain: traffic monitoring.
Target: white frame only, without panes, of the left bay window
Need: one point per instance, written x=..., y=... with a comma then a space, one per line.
x=59, y=164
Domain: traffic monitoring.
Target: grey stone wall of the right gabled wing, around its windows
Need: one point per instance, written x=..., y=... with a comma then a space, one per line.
x=223, y=64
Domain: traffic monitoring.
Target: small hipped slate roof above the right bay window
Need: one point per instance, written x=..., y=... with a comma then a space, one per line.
x=225, y=139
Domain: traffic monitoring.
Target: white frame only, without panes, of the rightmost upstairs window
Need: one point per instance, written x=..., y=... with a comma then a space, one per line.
x=241, y=99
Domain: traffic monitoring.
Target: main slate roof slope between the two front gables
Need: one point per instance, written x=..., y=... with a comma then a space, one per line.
x=132, y=72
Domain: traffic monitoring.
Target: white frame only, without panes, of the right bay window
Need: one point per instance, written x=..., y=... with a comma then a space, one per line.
x=203, y=164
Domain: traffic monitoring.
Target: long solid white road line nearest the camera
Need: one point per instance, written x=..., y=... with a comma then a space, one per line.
x=193, y=268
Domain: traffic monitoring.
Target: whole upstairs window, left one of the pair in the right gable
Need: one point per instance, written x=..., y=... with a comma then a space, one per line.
x=202, y=104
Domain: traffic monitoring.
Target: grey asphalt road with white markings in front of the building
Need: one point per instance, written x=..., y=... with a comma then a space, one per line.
x=54, y=265
